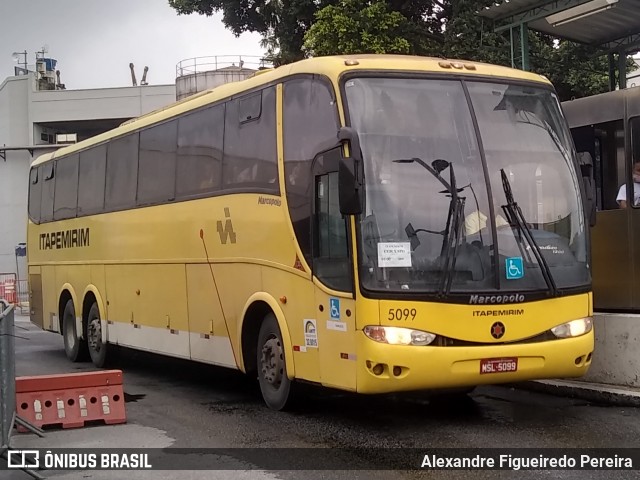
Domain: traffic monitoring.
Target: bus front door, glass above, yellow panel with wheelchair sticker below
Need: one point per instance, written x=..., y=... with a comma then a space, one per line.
x=333, y=276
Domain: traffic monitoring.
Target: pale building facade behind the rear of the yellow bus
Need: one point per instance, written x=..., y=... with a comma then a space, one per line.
x=35, y=120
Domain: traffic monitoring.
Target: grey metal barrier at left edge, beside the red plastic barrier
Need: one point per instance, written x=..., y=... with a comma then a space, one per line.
x=8, y=417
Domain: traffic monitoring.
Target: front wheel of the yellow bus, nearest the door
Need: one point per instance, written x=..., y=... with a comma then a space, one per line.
x=272, y=370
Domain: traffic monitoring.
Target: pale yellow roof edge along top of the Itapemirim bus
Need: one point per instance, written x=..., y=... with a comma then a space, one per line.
x=332, y=67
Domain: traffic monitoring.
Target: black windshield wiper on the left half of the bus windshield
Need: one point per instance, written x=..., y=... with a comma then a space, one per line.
x=453, y=229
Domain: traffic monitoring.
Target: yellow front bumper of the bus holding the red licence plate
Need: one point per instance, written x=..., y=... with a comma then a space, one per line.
x=386, y=368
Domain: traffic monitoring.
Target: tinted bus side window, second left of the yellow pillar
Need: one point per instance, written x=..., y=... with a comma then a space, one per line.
x=200, y=152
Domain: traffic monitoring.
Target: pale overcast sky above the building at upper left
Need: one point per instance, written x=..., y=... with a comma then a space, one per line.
x=95, y=40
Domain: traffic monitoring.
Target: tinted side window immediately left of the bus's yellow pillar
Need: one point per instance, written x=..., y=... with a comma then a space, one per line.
x=250, y=158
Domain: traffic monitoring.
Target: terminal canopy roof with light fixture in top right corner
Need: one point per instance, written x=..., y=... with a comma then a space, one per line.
x=613, y=25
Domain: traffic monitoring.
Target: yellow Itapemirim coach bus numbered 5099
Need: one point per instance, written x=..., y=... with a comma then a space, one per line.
x=368, y=223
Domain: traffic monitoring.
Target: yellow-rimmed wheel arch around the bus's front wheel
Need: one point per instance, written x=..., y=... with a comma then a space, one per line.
x=256, y=308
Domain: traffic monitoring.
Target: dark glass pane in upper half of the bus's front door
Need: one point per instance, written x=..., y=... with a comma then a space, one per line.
x=331, y=254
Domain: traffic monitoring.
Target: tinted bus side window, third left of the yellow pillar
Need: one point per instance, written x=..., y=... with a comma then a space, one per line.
x=157, y=170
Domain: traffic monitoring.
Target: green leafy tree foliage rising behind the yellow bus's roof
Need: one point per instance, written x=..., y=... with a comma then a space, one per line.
x=293, y=29
